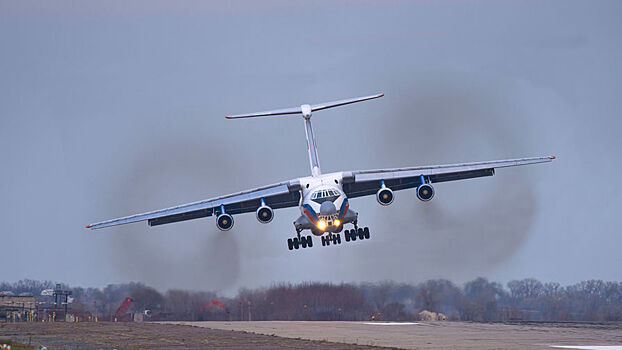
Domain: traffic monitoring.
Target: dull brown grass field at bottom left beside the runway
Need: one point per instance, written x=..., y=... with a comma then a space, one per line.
x=107, y=335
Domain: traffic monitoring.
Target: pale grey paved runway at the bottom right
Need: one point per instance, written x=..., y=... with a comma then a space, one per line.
x=438, y=335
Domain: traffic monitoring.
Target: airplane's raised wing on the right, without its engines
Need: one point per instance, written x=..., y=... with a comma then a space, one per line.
x=367, y=182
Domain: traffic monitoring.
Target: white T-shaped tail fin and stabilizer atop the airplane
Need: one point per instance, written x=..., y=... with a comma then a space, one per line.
x=306, y=110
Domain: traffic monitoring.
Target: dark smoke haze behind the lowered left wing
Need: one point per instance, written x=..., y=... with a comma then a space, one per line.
x=190, y=254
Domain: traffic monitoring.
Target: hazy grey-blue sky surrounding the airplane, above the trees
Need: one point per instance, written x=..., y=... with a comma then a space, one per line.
x=117, y=108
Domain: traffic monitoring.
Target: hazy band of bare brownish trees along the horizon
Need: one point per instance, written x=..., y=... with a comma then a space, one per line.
x=479, y=300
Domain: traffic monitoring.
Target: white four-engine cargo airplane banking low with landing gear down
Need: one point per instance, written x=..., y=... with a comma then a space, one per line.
x=323, y=199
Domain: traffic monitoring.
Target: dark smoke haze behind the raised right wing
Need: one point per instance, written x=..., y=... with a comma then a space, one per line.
x=472, y=225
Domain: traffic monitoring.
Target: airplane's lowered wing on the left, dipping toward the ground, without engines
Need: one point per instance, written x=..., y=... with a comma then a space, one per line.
x=280, y=195
